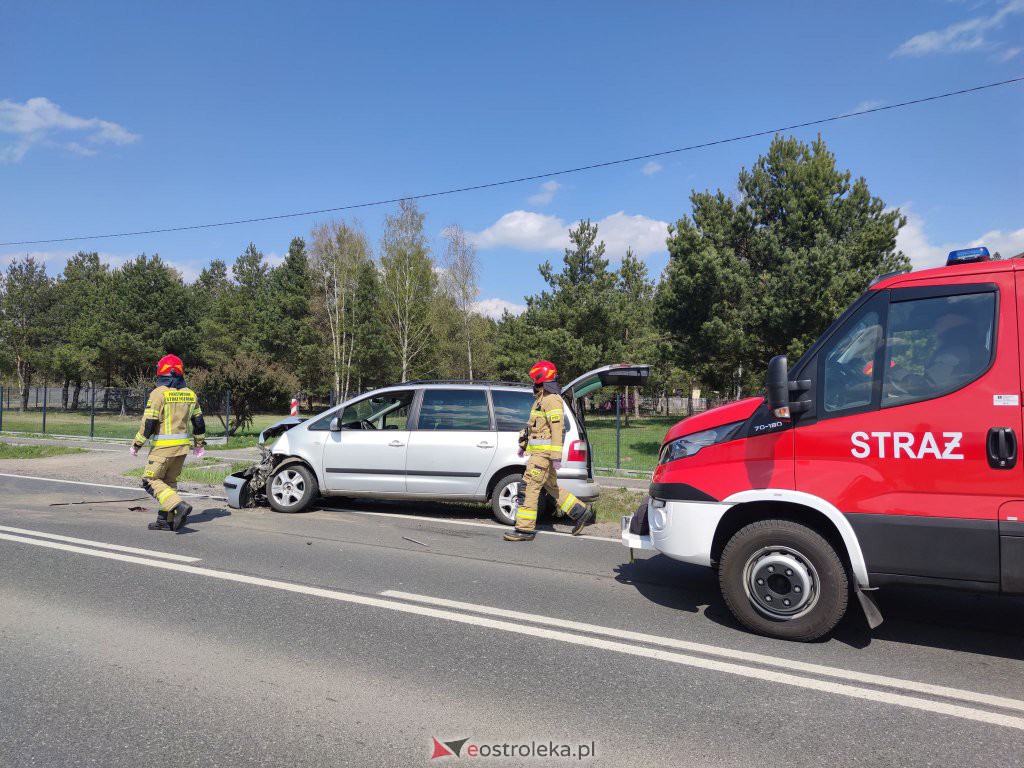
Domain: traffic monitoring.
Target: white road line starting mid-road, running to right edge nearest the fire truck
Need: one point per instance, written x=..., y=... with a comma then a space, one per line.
x=669, y=643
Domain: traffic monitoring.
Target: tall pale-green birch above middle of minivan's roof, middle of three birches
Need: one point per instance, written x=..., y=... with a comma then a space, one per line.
x=408, y=285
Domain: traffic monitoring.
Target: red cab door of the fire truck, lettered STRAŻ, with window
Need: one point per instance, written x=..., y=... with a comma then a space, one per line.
x=908, y=396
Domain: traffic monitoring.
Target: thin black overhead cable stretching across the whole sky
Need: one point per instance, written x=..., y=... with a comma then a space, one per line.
x=534, y=178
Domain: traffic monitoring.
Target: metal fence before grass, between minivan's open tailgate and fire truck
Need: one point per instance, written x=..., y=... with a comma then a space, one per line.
x=625, y=443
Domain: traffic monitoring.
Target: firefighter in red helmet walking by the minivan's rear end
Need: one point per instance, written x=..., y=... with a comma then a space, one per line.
x=543, y=442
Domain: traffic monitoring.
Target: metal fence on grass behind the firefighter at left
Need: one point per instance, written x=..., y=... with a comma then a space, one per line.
x=97, y=413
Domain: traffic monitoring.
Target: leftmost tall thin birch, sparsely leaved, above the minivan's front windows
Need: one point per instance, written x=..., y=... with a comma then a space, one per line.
x=338, y=252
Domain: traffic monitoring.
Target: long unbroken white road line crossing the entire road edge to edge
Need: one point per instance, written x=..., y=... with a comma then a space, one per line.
x=772, y=676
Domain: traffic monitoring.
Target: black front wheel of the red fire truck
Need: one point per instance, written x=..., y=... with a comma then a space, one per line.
x=784, y=580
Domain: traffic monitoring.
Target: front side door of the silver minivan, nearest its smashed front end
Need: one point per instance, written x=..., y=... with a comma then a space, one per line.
x=366, y=450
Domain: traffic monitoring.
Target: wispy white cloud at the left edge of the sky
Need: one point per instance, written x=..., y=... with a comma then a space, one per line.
x=40, y=122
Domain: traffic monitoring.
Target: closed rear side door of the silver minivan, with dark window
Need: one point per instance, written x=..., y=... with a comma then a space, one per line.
x=453, y=445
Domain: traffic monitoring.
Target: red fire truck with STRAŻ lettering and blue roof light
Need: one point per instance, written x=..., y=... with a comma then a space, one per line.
x=887, y=455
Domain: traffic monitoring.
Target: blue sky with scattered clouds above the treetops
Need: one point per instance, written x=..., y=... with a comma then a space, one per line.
x=132, y=116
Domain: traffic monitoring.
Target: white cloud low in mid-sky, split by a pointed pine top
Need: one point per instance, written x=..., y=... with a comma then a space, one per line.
x=540, y=232
